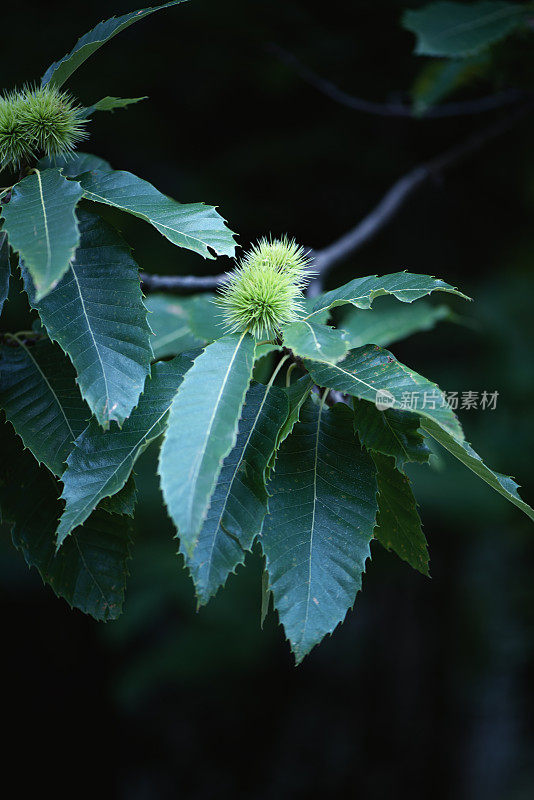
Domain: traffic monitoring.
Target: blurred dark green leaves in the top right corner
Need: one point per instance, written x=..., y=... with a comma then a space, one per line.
x=460, y=37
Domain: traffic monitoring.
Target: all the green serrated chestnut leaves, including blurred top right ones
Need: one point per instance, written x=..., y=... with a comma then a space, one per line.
x=296, y=442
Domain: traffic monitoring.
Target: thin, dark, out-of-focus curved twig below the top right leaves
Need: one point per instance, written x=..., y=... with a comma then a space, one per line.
x=396, y=109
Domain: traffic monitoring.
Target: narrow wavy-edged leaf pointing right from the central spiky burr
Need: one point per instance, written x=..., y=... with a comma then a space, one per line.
x=361, y=292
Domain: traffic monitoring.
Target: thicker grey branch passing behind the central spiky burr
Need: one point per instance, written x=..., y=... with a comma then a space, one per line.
x=325, y=259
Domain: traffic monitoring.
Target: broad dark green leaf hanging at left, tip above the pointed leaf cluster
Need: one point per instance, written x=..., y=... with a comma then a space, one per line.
x=96, y=313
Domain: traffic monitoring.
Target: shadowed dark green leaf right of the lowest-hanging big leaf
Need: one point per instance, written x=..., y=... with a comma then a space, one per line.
x=398, y=526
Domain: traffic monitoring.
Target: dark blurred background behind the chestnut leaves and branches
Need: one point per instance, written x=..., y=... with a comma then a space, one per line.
x=427, y=690
